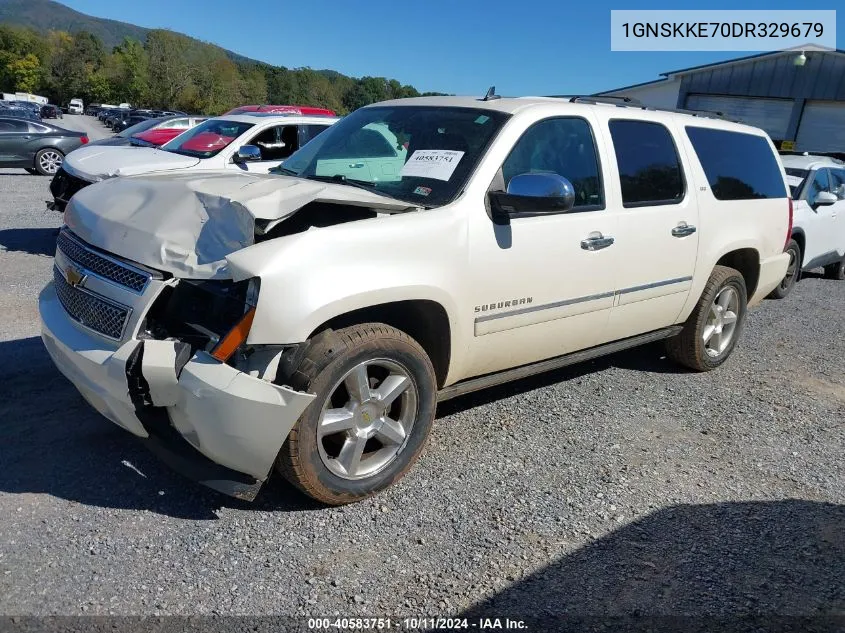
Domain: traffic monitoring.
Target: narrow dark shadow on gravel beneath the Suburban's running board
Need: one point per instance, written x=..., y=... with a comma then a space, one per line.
x=649, y=358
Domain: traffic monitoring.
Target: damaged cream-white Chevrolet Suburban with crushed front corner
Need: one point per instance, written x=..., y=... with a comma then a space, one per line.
x=415, y=251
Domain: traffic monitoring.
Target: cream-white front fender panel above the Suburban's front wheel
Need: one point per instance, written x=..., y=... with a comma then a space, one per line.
x=314, y=276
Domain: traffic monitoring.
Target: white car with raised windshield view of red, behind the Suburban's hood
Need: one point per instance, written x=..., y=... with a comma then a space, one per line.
x=254, y=142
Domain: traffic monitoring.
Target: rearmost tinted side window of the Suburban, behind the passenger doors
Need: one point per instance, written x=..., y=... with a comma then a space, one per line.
x=738, y=166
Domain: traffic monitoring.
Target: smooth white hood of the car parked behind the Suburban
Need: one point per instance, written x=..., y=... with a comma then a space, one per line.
x=98, y=162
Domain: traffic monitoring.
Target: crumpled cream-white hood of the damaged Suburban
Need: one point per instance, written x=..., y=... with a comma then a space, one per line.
x=187, y=223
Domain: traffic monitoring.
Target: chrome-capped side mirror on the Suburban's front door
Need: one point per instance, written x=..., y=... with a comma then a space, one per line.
x=530, y=195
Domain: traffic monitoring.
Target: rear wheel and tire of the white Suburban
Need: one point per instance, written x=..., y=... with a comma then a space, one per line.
x=712, y=330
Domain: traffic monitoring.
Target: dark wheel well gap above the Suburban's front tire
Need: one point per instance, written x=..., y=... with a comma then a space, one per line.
x=424, y=321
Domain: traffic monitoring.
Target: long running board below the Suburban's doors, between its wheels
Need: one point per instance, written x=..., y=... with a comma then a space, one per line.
x=524, y=371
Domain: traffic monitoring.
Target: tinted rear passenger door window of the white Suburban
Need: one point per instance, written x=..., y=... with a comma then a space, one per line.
x=649, y=168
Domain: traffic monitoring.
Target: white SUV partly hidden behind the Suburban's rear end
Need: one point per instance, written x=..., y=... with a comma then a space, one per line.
x=817, y=184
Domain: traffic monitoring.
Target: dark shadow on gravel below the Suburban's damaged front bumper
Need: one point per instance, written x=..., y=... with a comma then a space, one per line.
x=52, y=442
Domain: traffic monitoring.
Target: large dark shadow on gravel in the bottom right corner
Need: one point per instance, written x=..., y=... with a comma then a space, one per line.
x=744, y=566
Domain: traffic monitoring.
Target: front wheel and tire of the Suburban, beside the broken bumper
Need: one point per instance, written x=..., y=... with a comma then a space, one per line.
x=376, y=399
